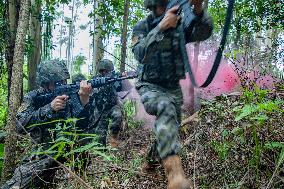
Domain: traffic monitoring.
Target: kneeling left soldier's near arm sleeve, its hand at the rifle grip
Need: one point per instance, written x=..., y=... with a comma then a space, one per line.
x=28, y=115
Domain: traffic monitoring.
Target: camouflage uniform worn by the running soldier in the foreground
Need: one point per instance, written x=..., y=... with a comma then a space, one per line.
x=160, y=69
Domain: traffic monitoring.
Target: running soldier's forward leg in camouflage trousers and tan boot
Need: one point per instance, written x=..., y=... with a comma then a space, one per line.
x=165, y=105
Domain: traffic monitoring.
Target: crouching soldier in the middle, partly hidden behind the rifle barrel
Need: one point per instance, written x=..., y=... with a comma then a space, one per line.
x=108, y=114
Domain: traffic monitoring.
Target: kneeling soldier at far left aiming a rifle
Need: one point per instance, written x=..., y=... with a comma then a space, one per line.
x=34, y=169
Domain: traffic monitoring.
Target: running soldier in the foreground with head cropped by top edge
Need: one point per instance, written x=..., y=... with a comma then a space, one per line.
x=157, y=48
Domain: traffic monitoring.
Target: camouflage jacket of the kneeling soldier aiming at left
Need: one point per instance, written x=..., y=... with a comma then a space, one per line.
x=36, y=118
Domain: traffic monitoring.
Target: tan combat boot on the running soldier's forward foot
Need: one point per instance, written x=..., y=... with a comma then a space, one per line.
x=175, y=173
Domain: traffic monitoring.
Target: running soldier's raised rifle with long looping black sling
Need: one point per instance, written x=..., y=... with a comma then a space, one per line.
x=186, y=27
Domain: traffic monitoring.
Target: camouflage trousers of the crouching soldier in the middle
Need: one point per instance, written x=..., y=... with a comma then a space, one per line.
x=109, y=120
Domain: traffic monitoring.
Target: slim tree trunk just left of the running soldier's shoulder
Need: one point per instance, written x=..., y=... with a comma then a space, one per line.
x=124, y=36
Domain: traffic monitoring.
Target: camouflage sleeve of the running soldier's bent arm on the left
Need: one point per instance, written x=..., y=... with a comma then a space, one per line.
x=142, y=40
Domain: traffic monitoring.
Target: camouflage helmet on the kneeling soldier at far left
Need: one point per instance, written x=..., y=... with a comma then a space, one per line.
x=52, y=71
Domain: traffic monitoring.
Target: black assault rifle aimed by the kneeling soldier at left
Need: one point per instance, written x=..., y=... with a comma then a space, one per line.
x=72, y=89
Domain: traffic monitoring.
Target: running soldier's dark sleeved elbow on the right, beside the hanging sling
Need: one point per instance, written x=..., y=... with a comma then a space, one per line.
x=202, y=29
